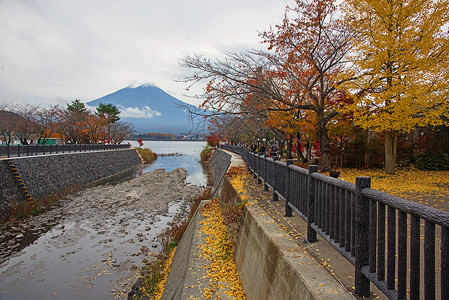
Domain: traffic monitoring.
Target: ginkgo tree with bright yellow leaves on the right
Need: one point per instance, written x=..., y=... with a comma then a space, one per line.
x=400, y=65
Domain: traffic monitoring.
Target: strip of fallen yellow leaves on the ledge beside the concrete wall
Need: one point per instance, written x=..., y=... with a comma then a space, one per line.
x=222, y=271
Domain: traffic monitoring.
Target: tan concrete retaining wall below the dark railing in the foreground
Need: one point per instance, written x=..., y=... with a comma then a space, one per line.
x=271, y=265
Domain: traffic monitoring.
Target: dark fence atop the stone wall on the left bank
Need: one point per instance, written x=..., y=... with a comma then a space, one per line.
x=28, y=150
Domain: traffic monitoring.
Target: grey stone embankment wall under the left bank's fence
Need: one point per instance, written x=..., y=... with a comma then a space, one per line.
x=40, y=176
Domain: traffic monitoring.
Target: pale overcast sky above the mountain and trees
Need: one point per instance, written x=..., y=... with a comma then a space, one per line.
x=55, y=51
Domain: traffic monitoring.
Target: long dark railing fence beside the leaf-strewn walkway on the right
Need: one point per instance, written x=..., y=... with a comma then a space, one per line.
x=400, y=246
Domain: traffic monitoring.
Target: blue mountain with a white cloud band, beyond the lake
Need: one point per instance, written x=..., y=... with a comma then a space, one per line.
x=150, y=109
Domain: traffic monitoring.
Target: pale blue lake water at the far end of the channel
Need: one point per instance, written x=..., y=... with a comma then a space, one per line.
x=188, y=157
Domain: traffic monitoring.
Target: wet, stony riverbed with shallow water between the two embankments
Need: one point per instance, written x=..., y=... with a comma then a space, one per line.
x=90, y=245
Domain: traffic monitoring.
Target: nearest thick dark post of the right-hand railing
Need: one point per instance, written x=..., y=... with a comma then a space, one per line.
x=362, y=284
